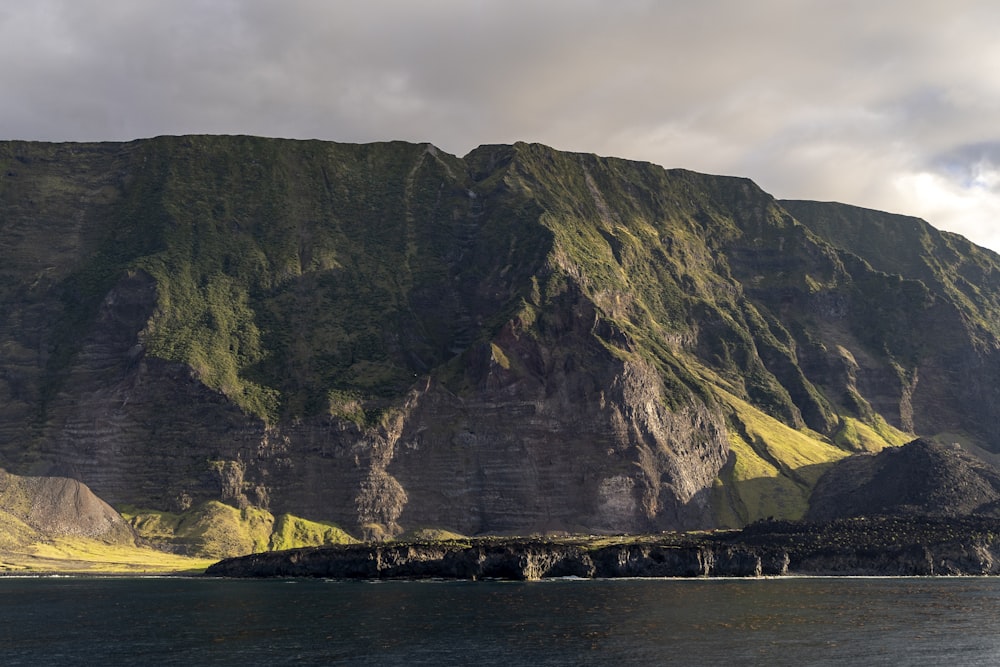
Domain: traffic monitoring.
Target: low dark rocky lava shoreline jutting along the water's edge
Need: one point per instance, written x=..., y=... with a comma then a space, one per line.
x=876, y=546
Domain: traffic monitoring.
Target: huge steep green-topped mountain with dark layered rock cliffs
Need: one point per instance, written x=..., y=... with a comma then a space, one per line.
x=389, y=338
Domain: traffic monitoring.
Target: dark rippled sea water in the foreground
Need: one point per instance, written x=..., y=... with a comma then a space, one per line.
x=169, y=621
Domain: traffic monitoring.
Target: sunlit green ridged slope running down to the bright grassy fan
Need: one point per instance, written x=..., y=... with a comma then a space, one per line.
x=650, y=263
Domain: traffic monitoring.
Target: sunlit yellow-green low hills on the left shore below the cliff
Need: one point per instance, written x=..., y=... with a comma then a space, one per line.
x=58, y=524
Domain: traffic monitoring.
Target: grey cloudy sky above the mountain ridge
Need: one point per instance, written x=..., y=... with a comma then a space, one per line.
x=892, y=104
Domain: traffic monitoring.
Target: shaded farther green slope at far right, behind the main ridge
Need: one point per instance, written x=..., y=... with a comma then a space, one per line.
x=946, y=323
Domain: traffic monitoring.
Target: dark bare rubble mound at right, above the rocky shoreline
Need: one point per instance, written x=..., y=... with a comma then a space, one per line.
x=921, y=478
